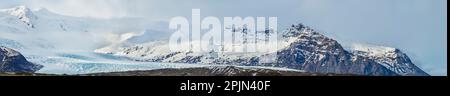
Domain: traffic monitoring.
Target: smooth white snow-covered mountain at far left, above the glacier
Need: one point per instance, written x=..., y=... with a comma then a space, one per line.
x=40, y=28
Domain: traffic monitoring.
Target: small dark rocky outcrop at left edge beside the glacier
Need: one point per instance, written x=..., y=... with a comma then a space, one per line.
x=13, y=61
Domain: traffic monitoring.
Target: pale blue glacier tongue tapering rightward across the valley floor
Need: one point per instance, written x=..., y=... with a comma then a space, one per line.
x=79, y=64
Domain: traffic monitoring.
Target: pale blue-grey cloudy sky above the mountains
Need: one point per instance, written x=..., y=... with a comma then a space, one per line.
x=417, y=27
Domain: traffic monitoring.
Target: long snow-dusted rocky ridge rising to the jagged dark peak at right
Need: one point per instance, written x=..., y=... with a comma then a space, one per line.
x=300, y=48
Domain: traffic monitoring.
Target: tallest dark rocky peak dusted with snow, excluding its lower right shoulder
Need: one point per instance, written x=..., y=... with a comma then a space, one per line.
x=314, y=52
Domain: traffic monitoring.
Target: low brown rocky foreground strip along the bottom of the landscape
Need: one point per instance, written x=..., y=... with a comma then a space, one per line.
x=201, y=71
